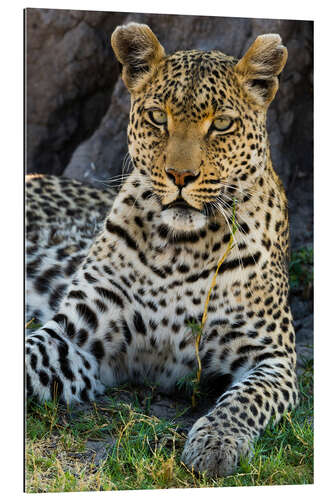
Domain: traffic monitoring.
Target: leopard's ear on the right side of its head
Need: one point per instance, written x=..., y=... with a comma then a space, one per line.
x=259, y=67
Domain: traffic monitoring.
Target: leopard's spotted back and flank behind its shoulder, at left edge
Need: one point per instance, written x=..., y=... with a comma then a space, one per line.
x=63, y=216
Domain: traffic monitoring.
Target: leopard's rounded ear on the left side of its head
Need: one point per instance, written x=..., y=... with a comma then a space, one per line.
x=138, y=51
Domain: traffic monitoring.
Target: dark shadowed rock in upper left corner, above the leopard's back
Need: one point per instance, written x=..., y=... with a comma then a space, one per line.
x=71, y=71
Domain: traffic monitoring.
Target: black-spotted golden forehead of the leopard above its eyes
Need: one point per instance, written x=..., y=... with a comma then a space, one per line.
x=194, y=83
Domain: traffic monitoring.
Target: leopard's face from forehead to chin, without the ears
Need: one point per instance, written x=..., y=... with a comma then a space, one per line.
x=196, y=137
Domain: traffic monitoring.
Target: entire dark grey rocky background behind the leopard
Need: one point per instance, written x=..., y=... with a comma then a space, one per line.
x=77, y=106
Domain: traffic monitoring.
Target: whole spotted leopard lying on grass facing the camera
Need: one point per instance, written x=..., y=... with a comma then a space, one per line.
x=116, y=277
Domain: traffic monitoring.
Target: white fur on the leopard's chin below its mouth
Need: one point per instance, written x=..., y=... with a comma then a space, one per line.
x=183, y=220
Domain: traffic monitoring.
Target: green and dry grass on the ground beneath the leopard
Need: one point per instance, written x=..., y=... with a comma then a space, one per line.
x=145, y=451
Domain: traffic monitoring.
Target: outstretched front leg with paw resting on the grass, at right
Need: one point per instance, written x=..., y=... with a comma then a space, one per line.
x=217, y=440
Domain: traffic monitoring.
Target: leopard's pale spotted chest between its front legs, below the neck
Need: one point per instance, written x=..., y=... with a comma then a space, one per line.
x=154, y=306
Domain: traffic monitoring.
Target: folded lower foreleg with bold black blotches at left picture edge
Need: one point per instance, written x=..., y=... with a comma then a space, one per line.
x=58, y=368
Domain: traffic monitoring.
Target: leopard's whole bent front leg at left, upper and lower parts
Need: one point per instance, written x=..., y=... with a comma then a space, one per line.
x=84, y=345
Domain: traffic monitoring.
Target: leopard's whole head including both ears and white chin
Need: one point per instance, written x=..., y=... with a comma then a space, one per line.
x=197, y=128
